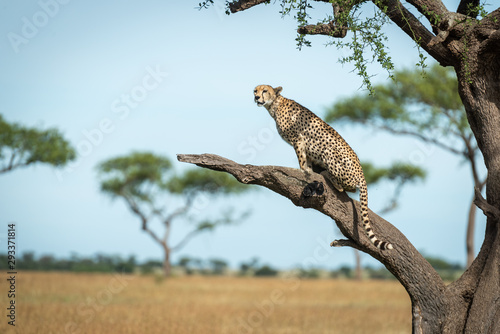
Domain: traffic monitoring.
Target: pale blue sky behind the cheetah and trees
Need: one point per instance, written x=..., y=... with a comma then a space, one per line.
x=164, y=77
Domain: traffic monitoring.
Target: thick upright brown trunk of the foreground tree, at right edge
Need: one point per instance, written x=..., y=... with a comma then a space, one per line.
x=479, y=88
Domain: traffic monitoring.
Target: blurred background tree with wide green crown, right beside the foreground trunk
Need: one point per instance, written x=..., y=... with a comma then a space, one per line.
x=428, y=109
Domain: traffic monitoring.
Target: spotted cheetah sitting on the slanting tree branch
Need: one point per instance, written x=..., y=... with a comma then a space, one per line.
x=317, y=144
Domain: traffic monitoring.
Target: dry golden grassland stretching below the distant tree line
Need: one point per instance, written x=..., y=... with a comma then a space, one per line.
x=99, y=303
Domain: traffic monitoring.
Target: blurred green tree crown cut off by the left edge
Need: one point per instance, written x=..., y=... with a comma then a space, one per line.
x=22, y=146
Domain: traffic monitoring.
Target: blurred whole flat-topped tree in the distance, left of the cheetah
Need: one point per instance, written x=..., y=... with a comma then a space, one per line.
x=145, y=182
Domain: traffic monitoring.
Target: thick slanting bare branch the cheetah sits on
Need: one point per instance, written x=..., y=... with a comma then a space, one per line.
x=421, y=281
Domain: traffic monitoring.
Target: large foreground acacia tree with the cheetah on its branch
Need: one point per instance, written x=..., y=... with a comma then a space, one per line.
x=458, y=39
